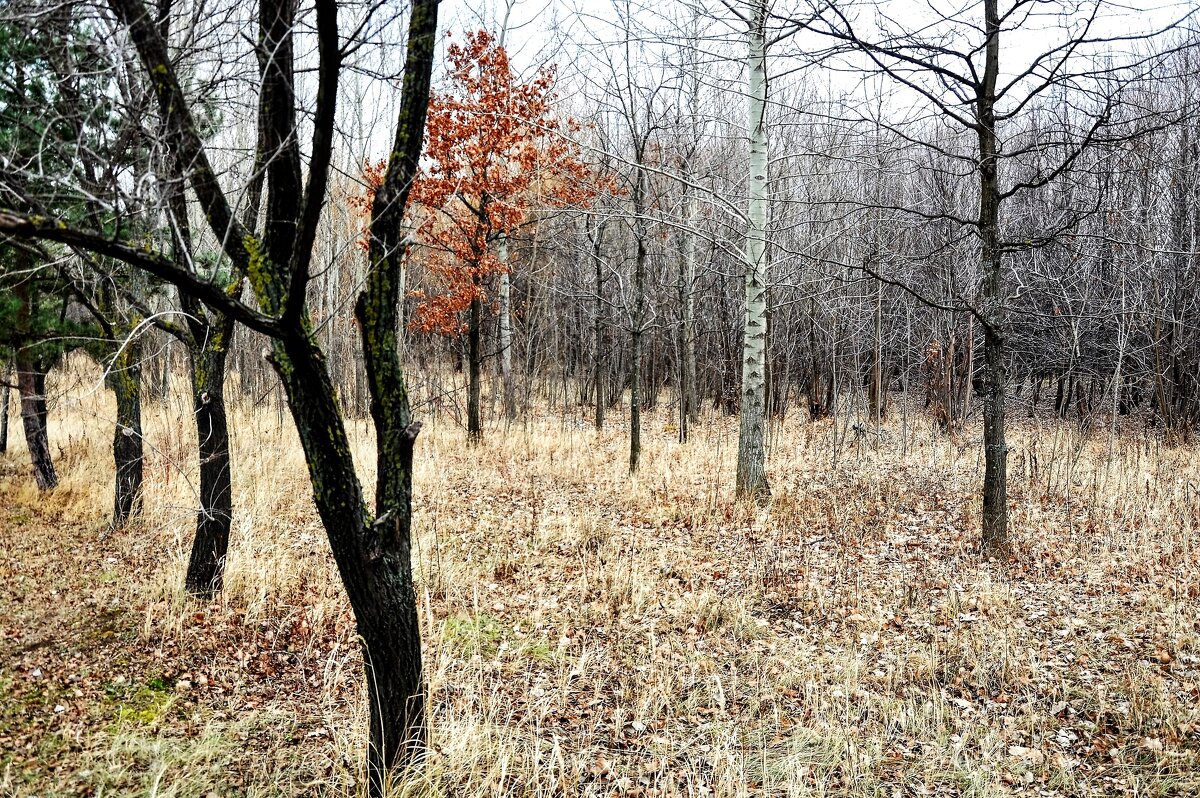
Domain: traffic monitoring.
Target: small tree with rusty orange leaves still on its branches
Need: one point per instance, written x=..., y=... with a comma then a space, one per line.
x=497, y=158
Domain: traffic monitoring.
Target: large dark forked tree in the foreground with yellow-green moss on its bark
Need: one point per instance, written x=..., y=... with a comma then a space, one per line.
x=373, y=551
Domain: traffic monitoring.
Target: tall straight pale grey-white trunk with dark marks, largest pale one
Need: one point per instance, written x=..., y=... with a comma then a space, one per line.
x=752, y=476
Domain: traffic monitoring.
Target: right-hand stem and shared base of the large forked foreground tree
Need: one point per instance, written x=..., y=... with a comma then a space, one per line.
x=387, y=604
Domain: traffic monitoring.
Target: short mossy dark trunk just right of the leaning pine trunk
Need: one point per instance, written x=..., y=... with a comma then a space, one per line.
x=125, y=379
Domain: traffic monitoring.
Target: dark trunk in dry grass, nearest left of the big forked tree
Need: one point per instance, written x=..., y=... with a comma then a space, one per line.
x=206, y=568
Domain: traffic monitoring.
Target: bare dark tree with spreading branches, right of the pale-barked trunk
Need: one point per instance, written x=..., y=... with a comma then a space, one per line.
x=951, y=64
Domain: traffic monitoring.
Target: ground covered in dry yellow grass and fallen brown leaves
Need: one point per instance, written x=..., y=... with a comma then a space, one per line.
x=590, y=634
